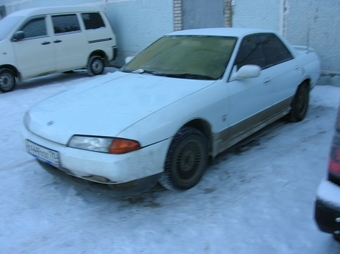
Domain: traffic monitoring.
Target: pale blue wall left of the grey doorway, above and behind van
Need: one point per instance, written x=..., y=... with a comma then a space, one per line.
x=137, y=23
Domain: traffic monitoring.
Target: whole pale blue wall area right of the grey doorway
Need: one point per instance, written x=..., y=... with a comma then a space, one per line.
x=306, y=22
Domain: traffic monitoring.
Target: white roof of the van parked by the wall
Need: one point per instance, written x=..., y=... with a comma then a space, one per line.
x=56, y=9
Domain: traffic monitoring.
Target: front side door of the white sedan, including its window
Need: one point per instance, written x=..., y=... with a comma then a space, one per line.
x=249, y=99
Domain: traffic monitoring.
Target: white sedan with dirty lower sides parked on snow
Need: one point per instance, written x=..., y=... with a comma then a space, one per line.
x=183, y=100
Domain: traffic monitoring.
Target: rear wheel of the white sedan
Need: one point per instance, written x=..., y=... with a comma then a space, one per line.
x=299, y=104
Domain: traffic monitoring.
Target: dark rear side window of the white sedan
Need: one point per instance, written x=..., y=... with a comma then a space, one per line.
x=274, y=50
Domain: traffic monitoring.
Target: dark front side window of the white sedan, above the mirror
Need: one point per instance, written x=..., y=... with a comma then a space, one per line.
x=250, y=52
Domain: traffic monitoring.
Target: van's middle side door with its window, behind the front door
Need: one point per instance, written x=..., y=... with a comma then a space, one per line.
x=69, y=41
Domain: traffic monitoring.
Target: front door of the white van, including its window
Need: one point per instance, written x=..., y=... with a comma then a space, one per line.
x=34, y=54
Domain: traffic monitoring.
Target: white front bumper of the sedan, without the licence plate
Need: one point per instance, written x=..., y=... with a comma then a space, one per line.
x=107, y=168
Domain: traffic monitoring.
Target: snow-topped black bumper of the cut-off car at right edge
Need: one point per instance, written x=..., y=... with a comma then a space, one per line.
x=327, y=207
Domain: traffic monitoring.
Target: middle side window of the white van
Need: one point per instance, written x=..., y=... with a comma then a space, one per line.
x=65, y=23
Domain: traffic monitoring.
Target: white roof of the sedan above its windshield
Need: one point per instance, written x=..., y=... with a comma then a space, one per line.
x=234, y=32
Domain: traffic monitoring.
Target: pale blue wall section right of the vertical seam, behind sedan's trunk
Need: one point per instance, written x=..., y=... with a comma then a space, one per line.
x=316, y=23
